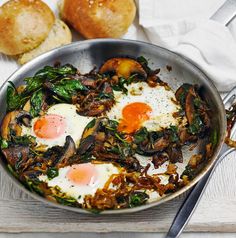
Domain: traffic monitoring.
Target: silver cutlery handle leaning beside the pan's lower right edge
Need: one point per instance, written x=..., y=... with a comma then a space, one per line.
x=191, y=201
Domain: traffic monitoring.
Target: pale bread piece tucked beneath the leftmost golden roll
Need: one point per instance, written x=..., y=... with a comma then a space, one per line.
x=59, y=35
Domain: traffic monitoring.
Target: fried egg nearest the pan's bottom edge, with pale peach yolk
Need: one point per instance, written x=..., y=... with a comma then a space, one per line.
x=80, y=180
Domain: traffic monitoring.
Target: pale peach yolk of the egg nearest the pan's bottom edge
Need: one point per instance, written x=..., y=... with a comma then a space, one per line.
x=82, y=174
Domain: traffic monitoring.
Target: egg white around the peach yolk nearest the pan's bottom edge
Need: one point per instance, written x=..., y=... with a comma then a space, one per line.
x=78, y=192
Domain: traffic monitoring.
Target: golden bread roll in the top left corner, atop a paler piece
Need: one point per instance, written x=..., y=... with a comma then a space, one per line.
x=24, y=24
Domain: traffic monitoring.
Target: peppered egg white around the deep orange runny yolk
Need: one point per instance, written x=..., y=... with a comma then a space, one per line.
x=160, y=99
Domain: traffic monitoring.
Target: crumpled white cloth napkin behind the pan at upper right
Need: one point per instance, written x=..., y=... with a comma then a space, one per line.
x=183, y=26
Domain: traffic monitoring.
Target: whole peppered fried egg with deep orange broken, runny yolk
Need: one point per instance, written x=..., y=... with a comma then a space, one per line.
x=144, y=106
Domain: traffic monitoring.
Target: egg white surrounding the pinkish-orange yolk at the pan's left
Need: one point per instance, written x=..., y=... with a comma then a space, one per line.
x=75, y=125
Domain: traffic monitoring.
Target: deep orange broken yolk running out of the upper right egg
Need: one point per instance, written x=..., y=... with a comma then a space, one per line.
x=133, y=115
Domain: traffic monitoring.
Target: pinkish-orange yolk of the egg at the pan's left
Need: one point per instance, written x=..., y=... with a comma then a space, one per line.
x=50, y=126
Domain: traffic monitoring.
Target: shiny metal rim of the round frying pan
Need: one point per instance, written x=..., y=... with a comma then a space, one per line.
x=209, y=165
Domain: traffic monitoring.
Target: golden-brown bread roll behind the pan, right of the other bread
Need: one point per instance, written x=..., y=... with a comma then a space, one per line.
x=99, y=18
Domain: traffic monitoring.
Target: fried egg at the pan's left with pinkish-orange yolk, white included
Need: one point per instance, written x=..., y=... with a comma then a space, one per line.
x=60, y=121
